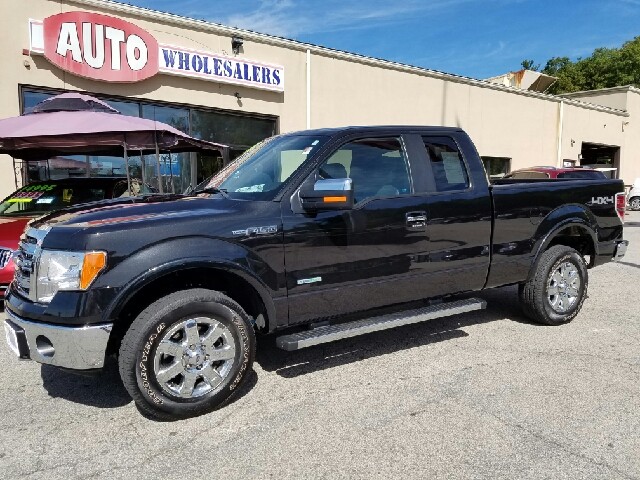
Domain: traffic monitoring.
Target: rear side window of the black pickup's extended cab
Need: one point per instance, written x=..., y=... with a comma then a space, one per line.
x=449, y=170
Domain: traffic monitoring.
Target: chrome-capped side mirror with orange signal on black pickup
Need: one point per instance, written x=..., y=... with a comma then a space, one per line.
x=329, y=194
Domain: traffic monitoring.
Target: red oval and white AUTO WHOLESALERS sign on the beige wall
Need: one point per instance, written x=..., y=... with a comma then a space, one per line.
x=109, y=49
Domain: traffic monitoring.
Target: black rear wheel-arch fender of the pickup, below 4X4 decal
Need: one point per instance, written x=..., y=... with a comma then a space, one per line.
x=572, y=215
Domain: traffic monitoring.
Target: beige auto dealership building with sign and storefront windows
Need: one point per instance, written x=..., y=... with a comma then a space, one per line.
x=236, y=87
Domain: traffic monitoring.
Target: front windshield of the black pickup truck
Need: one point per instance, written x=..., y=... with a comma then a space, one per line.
x=260, y=172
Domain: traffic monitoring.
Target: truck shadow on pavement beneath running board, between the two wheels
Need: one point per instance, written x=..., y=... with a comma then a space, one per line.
x=502, y=304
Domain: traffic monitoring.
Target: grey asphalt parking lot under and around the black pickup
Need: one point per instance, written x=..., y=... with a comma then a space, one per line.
x=483, y=395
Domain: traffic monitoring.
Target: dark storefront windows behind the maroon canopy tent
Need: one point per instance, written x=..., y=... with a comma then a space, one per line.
x=176, y=172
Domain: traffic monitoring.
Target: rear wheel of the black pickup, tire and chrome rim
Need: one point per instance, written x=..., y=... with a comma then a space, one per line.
x=558, y=287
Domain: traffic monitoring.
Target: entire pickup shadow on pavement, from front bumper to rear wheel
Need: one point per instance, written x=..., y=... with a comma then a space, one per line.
x=105, y=389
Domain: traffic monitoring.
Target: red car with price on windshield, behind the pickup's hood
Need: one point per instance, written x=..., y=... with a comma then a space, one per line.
x=40, y=198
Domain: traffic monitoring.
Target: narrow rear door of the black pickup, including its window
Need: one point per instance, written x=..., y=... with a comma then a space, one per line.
x=459, y=214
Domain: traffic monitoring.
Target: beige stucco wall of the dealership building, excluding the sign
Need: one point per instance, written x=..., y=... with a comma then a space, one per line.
x=344, y=90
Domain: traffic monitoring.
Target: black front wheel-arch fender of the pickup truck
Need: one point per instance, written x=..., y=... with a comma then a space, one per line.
x=158, y=260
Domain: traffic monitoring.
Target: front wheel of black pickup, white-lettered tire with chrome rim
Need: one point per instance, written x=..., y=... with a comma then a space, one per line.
x=186, y=354
